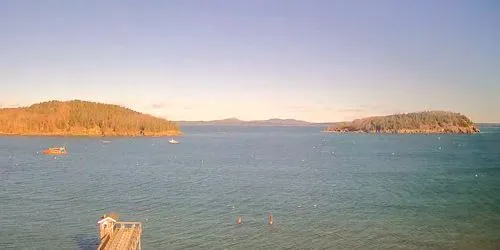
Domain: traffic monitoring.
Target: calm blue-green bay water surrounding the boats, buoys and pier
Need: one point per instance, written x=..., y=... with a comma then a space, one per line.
x=326, y=191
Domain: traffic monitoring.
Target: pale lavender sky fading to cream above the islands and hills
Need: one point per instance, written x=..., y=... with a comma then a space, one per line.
x=313, y=60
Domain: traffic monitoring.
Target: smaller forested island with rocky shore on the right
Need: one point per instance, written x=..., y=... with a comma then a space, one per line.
x=429, y=122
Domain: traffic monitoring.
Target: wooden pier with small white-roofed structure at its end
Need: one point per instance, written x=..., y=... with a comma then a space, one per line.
x=119, y=235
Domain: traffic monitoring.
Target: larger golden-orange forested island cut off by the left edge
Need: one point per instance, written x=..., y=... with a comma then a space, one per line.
x=82, y=118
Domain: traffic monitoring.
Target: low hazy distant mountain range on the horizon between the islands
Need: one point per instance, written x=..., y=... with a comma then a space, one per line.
x=269, y=122
